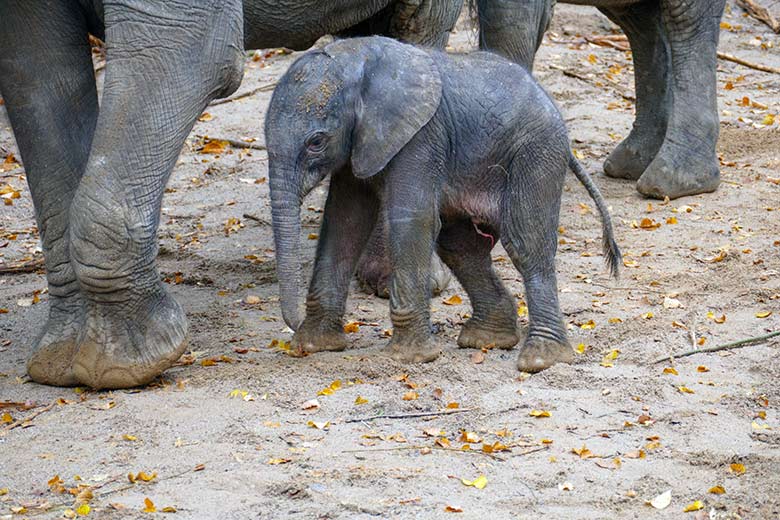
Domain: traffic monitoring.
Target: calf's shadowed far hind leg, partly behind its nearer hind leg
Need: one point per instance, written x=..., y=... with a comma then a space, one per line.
x=467, y=253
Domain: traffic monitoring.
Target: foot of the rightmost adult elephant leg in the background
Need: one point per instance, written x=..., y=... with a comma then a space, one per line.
x=679, y=172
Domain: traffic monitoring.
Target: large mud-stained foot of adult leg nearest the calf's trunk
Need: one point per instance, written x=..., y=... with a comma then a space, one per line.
x=123, y=349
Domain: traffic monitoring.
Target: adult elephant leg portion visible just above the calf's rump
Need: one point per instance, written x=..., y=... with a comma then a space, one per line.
x=513, y=28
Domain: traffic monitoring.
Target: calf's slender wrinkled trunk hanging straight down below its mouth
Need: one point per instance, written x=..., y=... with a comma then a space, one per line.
x=286, y=212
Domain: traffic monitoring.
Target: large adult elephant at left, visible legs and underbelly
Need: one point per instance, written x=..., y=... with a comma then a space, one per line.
x=97, y=176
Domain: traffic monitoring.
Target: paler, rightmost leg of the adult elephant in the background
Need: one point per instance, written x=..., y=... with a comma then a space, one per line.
x=687, y=163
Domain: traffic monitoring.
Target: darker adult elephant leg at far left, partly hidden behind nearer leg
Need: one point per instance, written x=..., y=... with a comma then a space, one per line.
x=49, y=88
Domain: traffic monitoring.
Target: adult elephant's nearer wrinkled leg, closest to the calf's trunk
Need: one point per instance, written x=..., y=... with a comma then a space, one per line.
x=165, y=62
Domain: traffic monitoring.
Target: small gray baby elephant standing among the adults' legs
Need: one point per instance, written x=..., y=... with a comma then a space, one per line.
x=459, y=151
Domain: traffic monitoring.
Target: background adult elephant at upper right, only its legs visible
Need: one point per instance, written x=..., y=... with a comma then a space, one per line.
x=671, y=148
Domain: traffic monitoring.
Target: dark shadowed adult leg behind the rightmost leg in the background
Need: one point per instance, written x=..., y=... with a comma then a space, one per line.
x=652, y=65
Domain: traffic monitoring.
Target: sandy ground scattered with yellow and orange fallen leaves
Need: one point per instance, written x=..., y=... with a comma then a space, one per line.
x=225, y=432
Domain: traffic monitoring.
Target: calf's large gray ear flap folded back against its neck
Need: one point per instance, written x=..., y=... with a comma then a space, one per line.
x=399, y=91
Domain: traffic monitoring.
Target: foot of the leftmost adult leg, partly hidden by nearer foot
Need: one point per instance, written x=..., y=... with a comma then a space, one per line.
x=55, y=348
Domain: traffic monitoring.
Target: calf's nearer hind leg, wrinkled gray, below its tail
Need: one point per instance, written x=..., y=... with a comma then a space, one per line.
x=530, y=223
